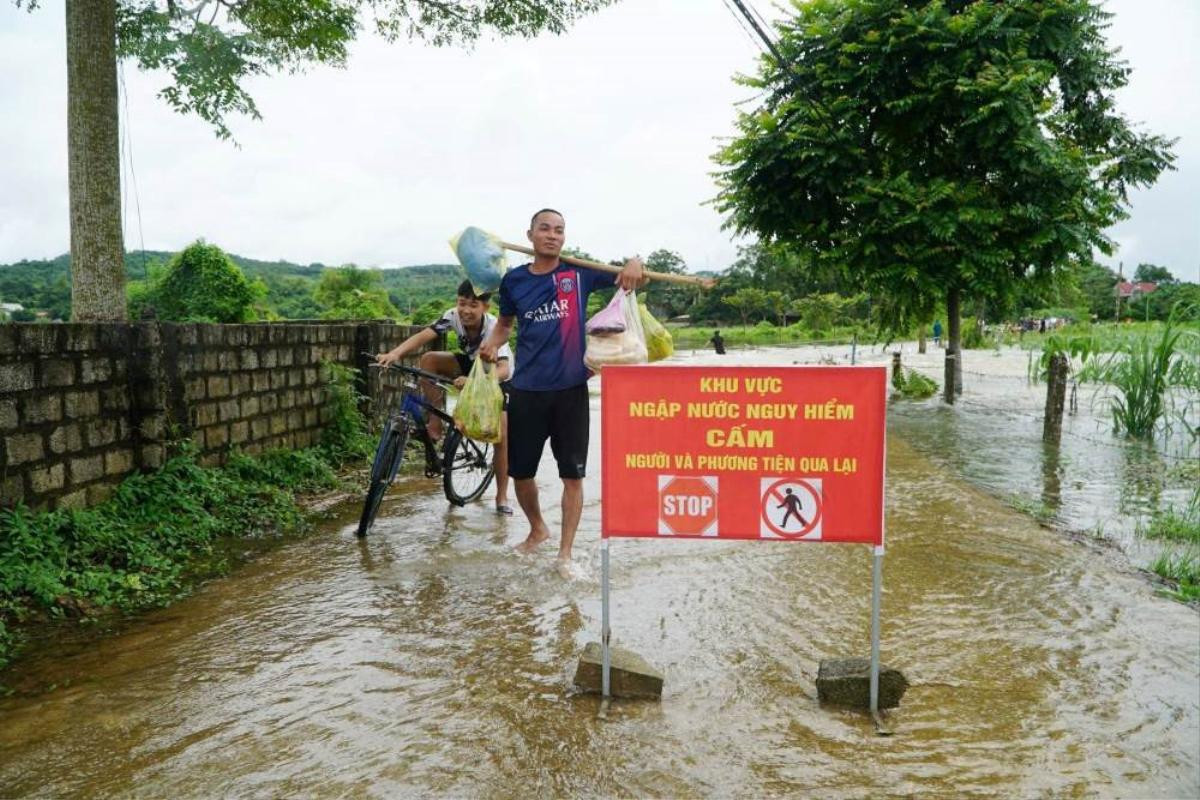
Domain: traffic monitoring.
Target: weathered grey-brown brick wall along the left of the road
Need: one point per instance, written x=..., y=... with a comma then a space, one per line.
x=82, y=406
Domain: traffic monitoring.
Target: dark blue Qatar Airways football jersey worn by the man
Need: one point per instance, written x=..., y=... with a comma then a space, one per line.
x=550, y=314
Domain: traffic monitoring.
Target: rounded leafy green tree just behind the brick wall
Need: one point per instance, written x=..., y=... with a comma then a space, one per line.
x=203, y=285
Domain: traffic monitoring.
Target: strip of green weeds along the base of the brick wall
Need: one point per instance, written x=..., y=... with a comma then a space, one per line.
x=163, y=532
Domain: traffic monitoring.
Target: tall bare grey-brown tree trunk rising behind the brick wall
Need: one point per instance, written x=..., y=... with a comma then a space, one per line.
x=98, y=269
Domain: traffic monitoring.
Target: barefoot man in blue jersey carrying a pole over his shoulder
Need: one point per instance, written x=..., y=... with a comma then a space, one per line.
x=549, y=398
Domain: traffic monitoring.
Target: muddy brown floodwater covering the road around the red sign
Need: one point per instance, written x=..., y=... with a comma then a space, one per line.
x=431, y=661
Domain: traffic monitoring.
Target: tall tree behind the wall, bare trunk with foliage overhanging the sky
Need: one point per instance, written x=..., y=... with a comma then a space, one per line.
x=211, y=50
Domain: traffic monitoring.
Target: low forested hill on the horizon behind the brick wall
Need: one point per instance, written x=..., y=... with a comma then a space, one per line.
x=45, y=285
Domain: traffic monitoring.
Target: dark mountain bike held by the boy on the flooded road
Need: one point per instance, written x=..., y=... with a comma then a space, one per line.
x=465, y=465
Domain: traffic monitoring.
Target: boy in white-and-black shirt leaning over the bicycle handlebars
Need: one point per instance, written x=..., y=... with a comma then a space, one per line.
x=471, y=322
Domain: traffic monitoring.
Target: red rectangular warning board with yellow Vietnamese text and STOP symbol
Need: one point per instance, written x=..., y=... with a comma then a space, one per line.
x=785, y=454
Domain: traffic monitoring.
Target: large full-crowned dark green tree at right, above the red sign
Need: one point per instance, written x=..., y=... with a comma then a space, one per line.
x=933, y=149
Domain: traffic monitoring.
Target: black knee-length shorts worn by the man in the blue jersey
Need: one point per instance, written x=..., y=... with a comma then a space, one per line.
x=562, y=417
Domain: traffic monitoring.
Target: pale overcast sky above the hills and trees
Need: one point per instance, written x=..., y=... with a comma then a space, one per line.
x=382, y=163
